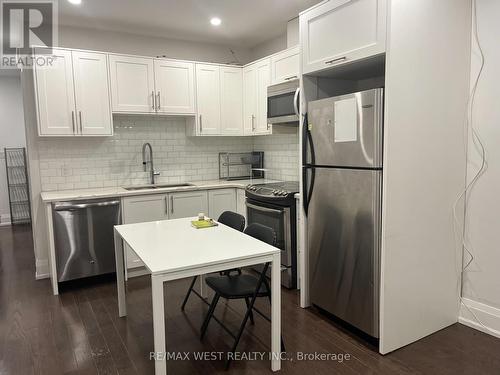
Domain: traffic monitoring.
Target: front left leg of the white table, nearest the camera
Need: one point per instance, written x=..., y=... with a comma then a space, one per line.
x=159, y=325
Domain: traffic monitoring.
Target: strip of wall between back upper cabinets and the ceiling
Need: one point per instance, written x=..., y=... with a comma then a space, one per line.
x=111, y=41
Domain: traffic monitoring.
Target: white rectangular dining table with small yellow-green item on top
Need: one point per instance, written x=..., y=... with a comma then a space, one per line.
x=173, y=249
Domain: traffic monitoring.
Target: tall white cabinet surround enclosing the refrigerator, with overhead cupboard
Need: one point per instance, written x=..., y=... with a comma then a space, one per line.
x=423, y=48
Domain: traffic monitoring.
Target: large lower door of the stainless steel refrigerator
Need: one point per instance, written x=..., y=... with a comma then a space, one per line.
x=344, y=245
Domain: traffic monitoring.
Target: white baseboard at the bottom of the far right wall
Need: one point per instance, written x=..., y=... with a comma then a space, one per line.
x=480, y=316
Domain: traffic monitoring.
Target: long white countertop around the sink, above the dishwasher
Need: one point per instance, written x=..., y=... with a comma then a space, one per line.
x=111, y=192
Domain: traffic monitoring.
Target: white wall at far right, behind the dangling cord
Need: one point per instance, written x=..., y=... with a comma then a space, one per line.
x=482, y=280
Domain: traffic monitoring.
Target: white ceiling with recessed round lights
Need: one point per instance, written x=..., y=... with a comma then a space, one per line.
x=245, y=23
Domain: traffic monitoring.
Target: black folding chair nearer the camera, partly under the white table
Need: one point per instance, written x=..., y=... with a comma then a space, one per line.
x=241, y=286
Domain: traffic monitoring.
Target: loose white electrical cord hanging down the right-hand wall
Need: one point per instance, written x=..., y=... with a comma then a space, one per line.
x=479, y=147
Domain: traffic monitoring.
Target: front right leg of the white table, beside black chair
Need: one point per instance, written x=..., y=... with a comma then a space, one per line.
x=276, y=313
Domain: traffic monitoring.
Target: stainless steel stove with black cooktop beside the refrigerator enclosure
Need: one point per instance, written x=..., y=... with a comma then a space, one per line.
x=273, y=205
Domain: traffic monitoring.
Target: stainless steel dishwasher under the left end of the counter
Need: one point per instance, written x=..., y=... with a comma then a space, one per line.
x=83, y=237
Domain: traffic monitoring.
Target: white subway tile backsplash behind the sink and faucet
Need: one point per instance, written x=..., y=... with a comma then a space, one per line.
x=77, y=163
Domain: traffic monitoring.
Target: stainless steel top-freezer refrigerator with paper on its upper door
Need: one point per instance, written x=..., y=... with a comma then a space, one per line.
x=342, y=176
